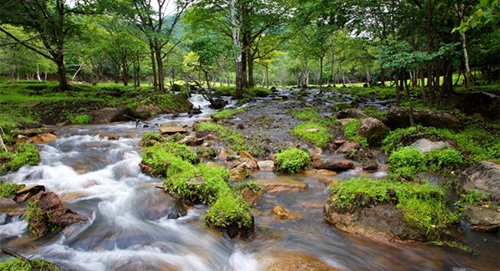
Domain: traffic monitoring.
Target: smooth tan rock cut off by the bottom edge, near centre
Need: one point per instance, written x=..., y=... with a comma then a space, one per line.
x=295, y=261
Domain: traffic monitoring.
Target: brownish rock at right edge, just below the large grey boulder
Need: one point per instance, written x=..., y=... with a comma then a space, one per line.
x=482, y=218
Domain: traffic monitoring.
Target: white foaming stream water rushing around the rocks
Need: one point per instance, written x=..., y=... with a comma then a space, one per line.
x=101, y=179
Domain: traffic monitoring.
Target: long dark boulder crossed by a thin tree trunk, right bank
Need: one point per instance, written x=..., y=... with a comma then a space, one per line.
x=398, y=117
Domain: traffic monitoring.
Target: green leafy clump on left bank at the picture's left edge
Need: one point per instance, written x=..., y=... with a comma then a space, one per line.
x=25, y=154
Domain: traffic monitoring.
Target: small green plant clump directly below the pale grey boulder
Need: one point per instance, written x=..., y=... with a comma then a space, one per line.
x=447, y=158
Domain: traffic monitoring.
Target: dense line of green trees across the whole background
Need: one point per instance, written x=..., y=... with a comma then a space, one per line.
x=246, y=42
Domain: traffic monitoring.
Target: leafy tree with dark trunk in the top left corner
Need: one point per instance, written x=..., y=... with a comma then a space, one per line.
x=51, y=23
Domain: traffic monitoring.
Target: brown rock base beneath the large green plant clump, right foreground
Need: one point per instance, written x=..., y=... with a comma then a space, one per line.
x=383, y=221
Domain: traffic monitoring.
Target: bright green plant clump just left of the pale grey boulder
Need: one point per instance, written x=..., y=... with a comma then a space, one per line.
x=406, y=163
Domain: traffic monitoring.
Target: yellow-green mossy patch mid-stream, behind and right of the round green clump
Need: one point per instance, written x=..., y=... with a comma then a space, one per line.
x=313, y=132
